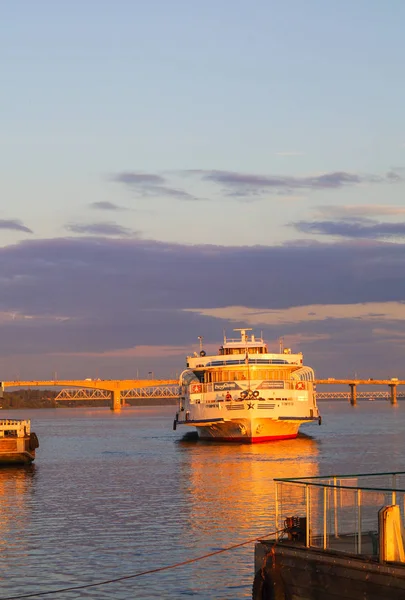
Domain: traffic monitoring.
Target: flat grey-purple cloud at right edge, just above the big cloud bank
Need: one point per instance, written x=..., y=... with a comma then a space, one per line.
x=361, y=228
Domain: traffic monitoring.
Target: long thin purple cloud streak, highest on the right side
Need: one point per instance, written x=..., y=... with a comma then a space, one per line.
x=237, y=184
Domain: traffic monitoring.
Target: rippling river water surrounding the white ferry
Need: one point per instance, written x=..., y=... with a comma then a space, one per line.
x=113, y=495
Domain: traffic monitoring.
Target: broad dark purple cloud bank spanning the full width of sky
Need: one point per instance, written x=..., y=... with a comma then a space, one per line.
x=159, y=276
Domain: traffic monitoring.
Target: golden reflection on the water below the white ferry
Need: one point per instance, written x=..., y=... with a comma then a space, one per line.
x=237, y=482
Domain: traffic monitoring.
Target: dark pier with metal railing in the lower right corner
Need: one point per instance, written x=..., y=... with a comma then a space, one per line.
x=343, y=540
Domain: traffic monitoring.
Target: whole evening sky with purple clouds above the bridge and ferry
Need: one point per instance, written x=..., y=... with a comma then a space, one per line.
x=175, y=169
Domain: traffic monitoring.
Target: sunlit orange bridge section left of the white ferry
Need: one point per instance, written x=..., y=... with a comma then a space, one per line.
x=113, y=387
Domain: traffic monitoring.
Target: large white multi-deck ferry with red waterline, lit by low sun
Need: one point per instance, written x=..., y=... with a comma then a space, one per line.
x=246, y=393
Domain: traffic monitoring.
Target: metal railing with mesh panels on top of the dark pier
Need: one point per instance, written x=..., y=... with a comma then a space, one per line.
x=342, y=513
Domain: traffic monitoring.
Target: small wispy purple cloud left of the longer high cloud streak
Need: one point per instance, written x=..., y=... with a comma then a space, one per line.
x=149, y=185
